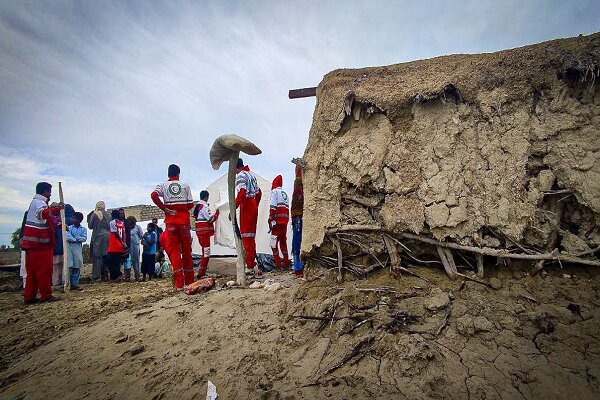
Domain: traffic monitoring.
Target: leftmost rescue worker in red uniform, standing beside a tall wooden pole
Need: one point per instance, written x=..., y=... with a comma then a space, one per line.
x=38, y=242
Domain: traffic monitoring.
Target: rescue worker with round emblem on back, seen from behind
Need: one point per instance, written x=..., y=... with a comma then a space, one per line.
x=177, y=203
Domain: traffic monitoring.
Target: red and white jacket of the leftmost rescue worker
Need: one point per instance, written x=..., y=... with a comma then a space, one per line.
x=38, y=230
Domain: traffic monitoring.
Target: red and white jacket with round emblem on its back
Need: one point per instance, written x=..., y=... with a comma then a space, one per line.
x=176, y=196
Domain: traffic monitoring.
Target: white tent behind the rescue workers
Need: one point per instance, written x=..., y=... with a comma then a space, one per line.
x=224, y=240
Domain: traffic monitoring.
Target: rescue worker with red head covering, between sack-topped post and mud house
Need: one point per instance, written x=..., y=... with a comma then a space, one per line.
x=279, y=216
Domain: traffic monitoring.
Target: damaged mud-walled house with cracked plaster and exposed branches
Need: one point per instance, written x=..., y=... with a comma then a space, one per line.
x=471, y=155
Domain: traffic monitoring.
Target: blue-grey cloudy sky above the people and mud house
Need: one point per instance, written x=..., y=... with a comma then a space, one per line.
x=103, y=95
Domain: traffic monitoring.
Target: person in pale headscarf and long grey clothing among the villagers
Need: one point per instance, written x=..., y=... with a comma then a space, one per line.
x=98, y=222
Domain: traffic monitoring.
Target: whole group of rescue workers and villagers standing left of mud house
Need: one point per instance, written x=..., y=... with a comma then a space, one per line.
x=116, y=240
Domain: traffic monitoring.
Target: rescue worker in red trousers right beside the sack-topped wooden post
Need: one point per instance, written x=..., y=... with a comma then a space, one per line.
x=247, y=199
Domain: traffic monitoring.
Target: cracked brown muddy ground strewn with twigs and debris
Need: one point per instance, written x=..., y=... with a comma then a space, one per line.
x=531, y=337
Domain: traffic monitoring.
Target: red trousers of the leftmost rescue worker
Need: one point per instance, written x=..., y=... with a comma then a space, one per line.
x=38, y=264
